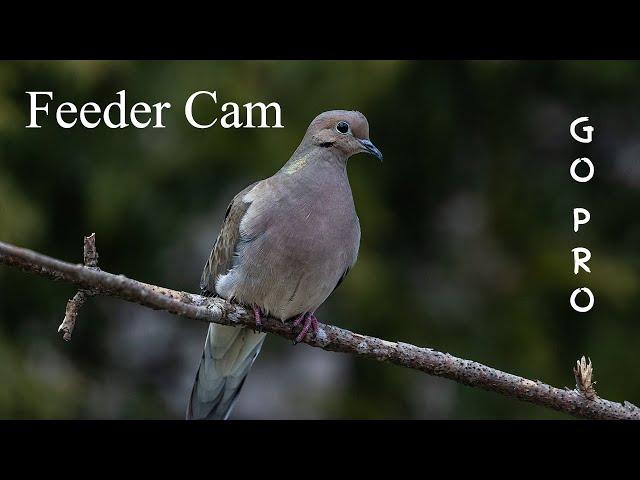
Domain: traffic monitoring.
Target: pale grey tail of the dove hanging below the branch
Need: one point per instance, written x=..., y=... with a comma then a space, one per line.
x=229, y=353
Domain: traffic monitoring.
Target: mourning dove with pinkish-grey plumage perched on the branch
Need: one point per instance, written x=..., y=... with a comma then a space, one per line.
x=285, y=245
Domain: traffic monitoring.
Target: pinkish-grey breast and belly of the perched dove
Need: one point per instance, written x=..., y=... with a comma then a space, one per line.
x=306, y=242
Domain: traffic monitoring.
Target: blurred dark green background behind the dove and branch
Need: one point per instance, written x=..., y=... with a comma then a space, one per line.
x=466, y=232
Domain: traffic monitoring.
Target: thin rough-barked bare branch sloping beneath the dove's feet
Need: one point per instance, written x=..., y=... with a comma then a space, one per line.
x=579, y=402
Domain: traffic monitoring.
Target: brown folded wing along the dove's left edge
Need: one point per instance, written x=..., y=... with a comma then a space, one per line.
x=220, y=260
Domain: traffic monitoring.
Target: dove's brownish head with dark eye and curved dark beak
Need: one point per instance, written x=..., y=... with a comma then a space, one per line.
x=345, y=131
